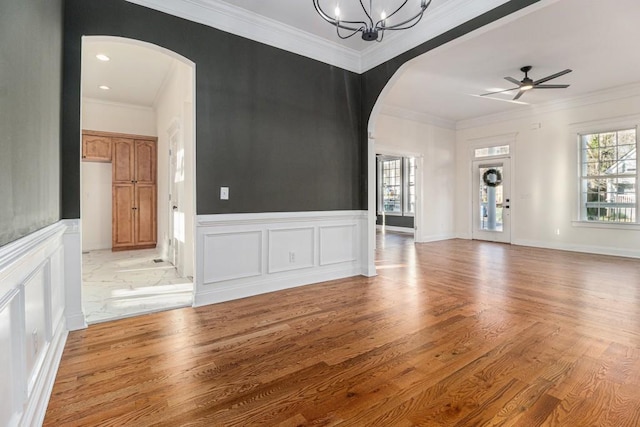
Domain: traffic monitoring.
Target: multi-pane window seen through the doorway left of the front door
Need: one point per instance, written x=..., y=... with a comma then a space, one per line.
x=396, y=185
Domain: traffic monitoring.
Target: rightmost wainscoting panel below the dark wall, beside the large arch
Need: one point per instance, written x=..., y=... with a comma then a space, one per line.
x=338, y=244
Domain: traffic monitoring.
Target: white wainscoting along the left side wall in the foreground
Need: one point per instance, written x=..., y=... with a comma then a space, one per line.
x=32, y=324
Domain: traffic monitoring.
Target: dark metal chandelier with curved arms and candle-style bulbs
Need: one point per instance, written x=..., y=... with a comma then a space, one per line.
x=371, y=30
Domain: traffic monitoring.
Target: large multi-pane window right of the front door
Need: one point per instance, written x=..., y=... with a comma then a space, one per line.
x=608, y=177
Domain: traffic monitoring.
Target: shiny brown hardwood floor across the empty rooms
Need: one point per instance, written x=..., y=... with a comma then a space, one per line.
x=453, y=333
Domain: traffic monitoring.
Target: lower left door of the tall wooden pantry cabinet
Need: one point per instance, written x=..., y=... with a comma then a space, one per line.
x=123, y=234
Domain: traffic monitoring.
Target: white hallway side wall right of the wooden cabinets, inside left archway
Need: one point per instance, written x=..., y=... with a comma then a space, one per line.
x=174, y=114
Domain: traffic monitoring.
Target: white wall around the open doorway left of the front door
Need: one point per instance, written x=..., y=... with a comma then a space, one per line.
x=436, y=146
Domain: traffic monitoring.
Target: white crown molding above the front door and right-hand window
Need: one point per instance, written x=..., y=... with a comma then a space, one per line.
x=598, y=97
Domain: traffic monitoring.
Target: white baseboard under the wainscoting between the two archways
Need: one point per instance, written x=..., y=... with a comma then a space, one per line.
x=212, y=294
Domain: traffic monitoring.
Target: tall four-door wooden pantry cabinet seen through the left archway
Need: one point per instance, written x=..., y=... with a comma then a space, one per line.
x=134, y=193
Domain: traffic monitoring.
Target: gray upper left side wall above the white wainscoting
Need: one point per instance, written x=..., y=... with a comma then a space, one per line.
x=30, y=86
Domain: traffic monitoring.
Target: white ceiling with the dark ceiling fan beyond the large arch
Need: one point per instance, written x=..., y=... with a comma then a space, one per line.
x=597, y=41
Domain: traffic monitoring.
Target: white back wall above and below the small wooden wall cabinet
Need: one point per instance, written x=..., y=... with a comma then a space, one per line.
x=96, y=177
